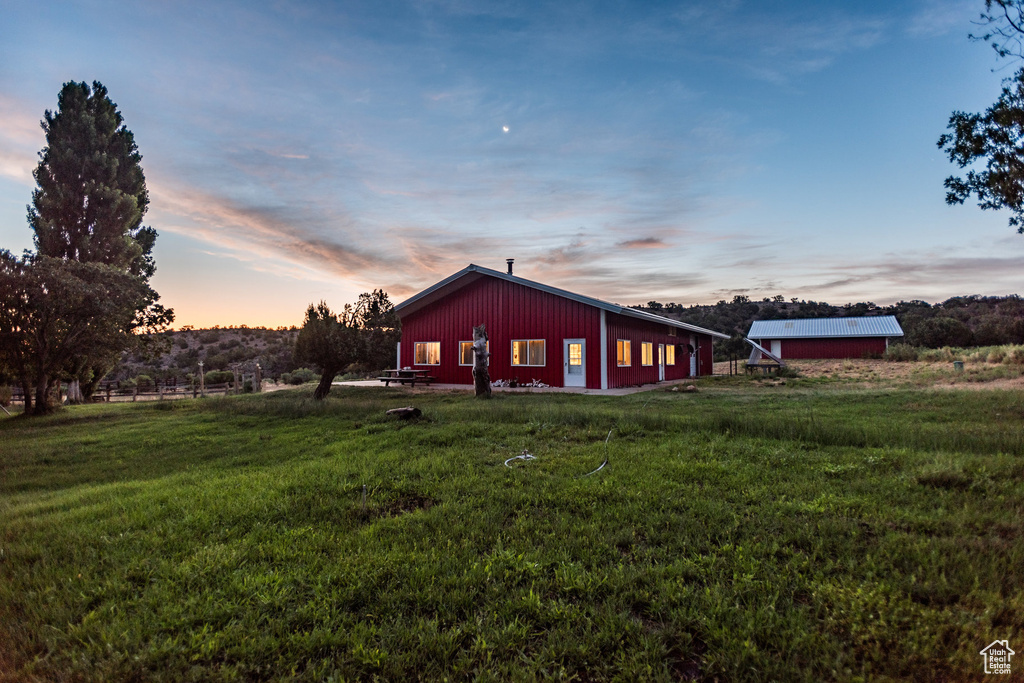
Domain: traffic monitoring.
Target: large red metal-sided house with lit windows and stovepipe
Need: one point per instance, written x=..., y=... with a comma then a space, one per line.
x=537, y=332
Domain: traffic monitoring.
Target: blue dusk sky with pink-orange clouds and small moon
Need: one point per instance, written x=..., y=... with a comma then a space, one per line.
x=681, y=152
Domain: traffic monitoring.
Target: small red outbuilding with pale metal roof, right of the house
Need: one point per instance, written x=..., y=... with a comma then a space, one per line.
x=827, y=337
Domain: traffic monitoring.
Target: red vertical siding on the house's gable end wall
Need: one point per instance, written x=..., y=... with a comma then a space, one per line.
x=510, y=312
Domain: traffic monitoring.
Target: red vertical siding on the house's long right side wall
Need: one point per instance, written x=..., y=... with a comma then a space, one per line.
x=622, y=327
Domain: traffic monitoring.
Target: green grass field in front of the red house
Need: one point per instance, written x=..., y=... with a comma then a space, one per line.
x=751, y=532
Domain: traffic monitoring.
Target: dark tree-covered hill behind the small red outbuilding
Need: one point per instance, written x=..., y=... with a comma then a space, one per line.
x=960, y=322
